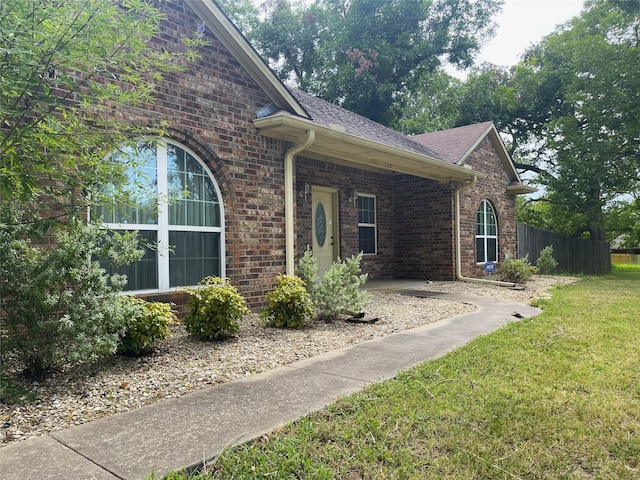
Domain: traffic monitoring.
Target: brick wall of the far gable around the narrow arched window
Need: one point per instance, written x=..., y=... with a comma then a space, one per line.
x=493, y=189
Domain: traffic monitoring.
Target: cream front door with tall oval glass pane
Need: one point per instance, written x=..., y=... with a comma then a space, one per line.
x=325, y=227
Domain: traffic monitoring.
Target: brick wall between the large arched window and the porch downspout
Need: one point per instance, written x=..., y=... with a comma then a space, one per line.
x=209, y=107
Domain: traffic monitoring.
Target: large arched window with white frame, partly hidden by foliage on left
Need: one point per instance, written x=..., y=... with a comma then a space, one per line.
x=176, y=208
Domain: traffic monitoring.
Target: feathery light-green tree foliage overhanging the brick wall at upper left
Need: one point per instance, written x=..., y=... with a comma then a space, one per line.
x=67, y=70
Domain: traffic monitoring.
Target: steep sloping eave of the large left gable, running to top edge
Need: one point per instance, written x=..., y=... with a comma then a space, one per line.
x=227, y=33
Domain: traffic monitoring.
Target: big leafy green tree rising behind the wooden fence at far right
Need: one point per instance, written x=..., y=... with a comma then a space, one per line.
x=594, y=129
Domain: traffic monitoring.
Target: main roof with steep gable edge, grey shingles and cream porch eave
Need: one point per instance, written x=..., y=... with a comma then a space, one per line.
x=340, y=135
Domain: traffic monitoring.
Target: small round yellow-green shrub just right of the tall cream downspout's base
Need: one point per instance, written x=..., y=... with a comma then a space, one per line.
x=288, y=304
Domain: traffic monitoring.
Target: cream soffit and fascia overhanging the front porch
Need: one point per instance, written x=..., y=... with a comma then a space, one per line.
x=332, y=144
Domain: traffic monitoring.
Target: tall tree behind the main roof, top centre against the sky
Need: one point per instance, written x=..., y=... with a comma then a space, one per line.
x=365, y=55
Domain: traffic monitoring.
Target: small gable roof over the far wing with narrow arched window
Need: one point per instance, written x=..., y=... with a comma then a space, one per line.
x=456, y=144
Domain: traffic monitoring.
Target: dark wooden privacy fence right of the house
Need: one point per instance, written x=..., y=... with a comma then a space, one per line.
x=573, y=255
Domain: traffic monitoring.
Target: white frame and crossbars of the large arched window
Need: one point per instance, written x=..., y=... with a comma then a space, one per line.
x=162, y=228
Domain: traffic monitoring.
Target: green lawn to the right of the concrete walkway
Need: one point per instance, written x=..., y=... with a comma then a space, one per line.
x=555, y=397
